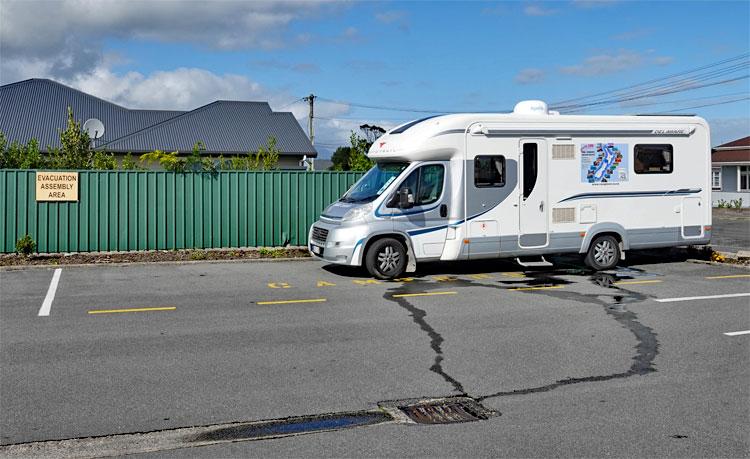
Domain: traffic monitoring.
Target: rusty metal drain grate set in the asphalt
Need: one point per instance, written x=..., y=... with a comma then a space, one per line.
x=447, y=411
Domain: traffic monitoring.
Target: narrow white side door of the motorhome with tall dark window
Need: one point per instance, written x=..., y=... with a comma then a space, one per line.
x=533, y=204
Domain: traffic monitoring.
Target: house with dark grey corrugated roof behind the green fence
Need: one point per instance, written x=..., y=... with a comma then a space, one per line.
x=37, y=108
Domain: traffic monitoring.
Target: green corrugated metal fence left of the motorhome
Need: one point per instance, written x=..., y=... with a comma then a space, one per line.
x=148, y=210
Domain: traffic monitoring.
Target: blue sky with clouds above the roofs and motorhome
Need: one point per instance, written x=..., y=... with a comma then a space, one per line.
x=418, y=56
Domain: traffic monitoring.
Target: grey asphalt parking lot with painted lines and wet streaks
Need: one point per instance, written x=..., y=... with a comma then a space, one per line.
x=645, y=360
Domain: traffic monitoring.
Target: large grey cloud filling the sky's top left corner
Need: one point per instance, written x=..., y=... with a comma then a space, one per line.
x=66, y=37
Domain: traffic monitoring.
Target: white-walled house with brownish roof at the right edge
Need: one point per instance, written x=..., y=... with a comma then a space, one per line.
x=730, y=172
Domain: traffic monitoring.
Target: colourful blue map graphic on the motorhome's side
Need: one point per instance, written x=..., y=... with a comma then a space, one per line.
x=604, y=163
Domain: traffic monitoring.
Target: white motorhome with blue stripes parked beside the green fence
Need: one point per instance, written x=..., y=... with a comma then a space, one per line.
x=524, y=184
